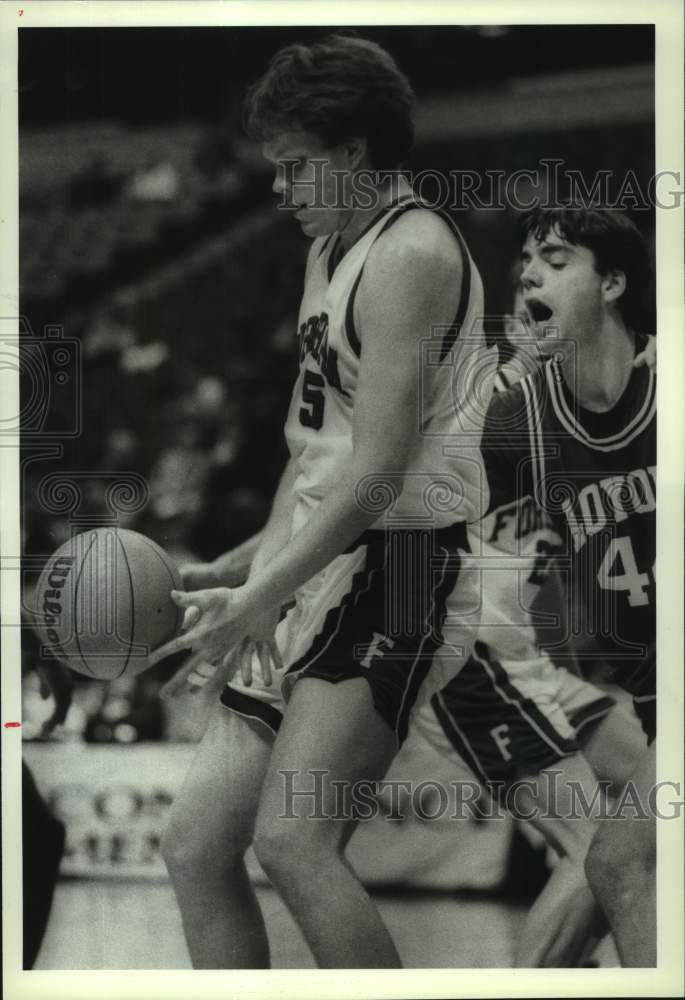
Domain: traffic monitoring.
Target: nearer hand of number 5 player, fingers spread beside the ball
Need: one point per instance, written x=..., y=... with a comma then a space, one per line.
x=215, y=621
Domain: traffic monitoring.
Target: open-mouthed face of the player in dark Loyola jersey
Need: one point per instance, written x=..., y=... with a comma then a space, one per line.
x=562, y=291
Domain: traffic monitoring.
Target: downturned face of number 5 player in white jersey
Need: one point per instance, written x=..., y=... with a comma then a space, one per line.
x=310, y=181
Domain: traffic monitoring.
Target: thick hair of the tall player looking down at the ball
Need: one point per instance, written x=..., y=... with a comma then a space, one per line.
x=339, y=88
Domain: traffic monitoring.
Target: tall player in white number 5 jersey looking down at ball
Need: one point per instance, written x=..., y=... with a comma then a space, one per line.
x=361, y=546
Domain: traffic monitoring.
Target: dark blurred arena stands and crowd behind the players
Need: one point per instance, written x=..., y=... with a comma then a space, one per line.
x=156, y=247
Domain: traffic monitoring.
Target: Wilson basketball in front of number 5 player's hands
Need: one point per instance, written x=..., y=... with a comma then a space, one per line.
x=103, y=602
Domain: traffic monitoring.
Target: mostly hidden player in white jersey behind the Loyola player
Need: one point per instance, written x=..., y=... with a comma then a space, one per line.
x=511, y=714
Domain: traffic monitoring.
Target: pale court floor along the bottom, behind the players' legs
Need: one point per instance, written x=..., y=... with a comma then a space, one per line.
x=136, y=925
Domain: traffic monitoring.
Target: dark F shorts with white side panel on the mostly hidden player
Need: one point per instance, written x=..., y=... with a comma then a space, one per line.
x=514, y=721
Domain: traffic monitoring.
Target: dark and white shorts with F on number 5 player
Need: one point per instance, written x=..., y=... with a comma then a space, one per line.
x=377, y=612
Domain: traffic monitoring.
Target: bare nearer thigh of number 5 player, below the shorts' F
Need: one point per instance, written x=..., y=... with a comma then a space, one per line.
x=333, y=741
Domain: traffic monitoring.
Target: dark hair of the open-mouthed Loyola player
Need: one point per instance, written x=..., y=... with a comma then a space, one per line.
x=615, y=241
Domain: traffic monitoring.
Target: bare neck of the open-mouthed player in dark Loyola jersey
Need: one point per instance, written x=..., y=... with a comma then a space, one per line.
x=602, y=367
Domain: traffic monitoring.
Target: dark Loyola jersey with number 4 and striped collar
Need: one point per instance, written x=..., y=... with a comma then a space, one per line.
x=594, y=475
